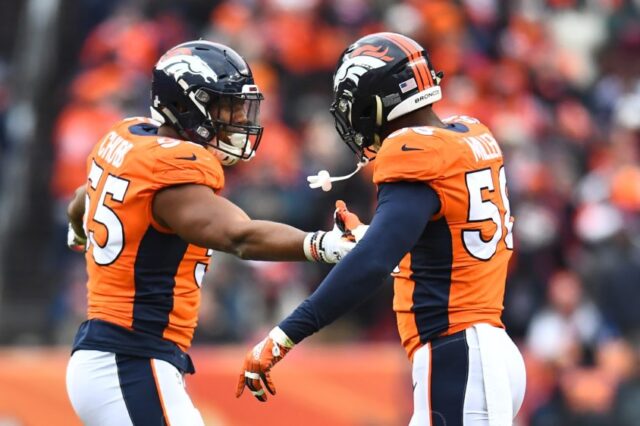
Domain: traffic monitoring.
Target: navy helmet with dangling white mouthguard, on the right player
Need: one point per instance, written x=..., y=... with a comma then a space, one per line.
x=379, y=78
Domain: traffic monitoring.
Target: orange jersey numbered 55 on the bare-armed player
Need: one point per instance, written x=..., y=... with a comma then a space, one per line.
x=143, y=277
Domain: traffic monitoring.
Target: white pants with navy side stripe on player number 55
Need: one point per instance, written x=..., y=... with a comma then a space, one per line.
x=106, y=389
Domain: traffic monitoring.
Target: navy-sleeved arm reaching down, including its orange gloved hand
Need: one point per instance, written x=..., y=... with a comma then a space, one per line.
x=393, y=232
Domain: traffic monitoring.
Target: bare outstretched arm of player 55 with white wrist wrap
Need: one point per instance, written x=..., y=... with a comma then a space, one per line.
x=202, y=218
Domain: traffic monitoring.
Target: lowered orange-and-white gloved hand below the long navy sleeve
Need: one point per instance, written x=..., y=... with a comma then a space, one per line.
x=256, y=370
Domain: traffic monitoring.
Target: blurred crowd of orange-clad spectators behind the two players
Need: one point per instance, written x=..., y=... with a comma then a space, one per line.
x=557, y=81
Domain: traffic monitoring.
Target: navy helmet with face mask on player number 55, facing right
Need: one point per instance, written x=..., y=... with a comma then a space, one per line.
x=206, y=92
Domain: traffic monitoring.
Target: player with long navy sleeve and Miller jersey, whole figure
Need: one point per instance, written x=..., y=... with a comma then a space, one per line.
x=442, y=228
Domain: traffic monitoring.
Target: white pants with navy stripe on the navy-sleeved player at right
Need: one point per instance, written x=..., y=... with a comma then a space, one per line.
x=472, y=378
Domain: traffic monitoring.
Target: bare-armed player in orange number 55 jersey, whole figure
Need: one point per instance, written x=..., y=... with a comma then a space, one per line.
x=148, y=220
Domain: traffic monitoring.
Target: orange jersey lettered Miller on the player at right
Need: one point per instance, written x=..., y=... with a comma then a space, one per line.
x=455, y=275
